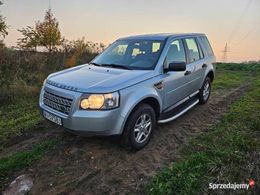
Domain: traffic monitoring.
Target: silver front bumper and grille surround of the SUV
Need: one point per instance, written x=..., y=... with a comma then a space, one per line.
x=85, y=122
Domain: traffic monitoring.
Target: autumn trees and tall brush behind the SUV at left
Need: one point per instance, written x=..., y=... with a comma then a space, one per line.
x=40, y=50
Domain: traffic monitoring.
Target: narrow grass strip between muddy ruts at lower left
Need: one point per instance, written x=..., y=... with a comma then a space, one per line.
x=23, y=159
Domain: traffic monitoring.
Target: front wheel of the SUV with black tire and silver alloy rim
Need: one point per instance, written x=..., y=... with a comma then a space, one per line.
x=130, y=137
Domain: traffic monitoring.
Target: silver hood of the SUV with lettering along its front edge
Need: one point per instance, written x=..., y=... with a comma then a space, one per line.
x=94, y=79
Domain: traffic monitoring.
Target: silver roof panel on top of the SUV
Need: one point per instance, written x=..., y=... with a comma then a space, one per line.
x=159, y=36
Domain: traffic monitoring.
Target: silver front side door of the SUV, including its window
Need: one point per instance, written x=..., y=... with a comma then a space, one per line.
x=175, y=82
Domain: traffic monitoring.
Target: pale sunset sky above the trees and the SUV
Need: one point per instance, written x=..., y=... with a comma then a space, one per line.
x=235, y=22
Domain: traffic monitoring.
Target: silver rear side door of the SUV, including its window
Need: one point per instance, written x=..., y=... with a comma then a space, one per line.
x=195, y=65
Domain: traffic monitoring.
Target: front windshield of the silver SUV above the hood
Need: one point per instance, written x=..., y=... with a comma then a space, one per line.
x=131, y=54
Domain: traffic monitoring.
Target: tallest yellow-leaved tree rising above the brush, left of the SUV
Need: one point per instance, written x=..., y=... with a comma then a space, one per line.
x=49, y=32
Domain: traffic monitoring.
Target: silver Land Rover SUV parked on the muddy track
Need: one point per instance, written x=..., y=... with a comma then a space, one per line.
x=134, y=84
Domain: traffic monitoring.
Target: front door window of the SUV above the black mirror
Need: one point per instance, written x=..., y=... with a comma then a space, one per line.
x=176, y=52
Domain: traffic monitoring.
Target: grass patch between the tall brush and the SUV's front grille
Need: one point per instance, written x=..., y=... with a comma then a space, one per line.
x=22, y=115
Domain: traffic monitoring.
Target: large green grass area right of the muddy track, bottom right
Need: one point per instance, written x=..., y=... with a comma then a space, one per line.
x=222, y=155
